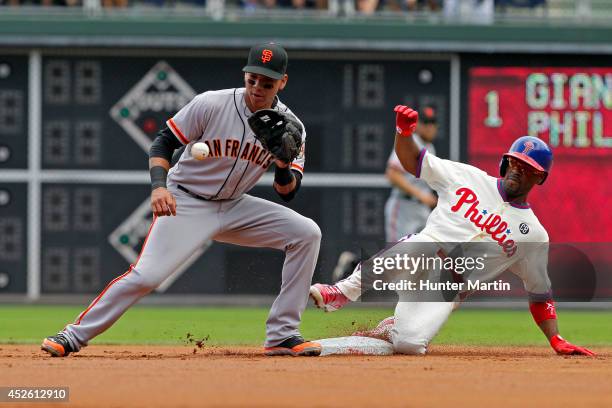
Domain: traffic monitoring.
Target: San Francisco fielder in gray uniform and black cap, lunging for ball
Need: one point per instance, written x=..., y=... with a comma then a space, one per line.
x=245, y=131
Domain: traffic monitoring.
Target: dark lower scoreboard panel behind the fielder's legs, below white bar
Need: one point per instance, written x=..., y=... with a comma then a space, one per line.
x=92, y=233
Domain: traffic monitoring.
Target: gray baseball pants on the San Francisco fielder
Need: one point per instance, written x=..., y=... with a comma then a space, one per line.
x=246, y=221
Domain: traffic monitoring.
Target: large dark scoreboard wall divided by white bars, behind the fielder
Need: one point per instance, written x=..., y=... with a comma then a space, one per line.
x=98, y=114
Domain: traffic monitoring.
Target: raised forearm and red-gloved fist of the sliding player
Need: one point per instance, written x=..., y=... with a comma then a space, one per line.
x=406, y=149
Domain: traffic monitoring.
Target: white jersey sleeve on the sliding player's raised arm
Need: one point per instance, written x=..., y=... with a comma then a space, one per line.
x=441, y=173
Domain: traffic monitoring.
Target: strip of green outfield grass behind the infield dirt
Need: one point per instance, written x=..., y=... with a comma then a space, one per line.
x=245, y=326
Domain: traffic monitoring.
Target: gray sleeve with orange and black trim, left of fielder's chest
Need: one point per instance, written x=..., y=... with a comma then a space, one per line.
x=189, y=123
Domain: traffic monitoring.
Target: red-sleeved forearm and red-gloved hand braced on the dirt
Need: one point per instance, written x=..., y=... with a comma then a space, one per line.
x=545, y=317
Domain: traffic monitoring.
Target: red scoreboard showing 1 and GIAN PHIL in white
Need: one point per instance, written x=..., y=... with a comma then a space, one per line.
x=570, y=108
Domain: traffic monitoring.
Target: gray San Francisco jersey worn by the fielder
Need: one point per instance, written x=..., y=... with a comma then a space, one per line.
x=236, y=161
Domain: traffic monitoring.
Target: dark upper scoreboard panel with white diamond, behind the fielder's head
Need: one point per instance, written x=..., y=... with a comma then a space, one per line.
x=102, y=112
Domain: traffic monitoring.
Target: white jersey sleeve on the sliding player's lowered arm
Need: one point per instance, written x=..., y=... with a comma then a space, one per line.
x=532, y=269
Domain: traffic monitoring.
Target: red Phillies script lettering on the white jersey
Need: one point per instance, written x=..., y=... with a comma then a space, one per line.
x=492, y=224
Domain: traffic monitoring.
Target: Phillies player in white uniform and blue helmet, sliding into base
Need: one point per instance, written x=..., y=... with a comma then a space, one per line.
x=473, y=208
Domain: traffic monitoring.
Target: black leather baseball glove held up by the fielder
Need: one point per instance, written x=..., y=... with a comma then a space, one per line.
x=278, y=132
